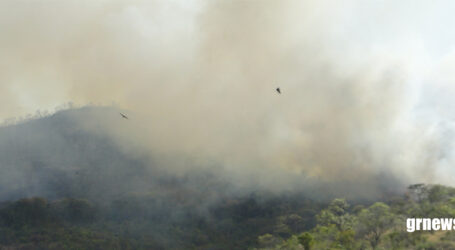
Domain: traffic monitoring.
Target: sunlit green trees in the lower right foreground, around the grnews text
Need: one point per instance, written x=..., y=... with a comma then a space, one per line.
x=380, y=225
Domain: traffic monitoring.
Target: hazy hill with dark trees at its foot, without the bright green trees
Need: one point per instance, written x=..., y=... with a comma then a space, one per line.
x=62, y=184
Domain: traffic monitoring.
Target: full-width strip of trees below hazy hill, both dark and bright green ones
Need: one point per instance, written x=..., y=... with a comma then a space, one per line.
x=253, y=222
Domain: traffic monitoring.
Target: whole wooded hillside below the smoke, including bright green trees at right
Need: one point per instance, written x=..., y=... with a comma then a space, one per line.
x=64, y=187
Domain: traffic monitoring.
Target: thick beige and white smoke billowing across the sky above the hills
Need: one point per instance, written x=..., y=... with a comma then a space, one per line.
x=197, y=80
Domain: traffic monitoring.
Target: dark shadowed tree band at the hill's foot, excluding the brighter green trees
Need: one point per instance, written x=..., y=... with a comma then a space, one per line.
x=149, y=222
